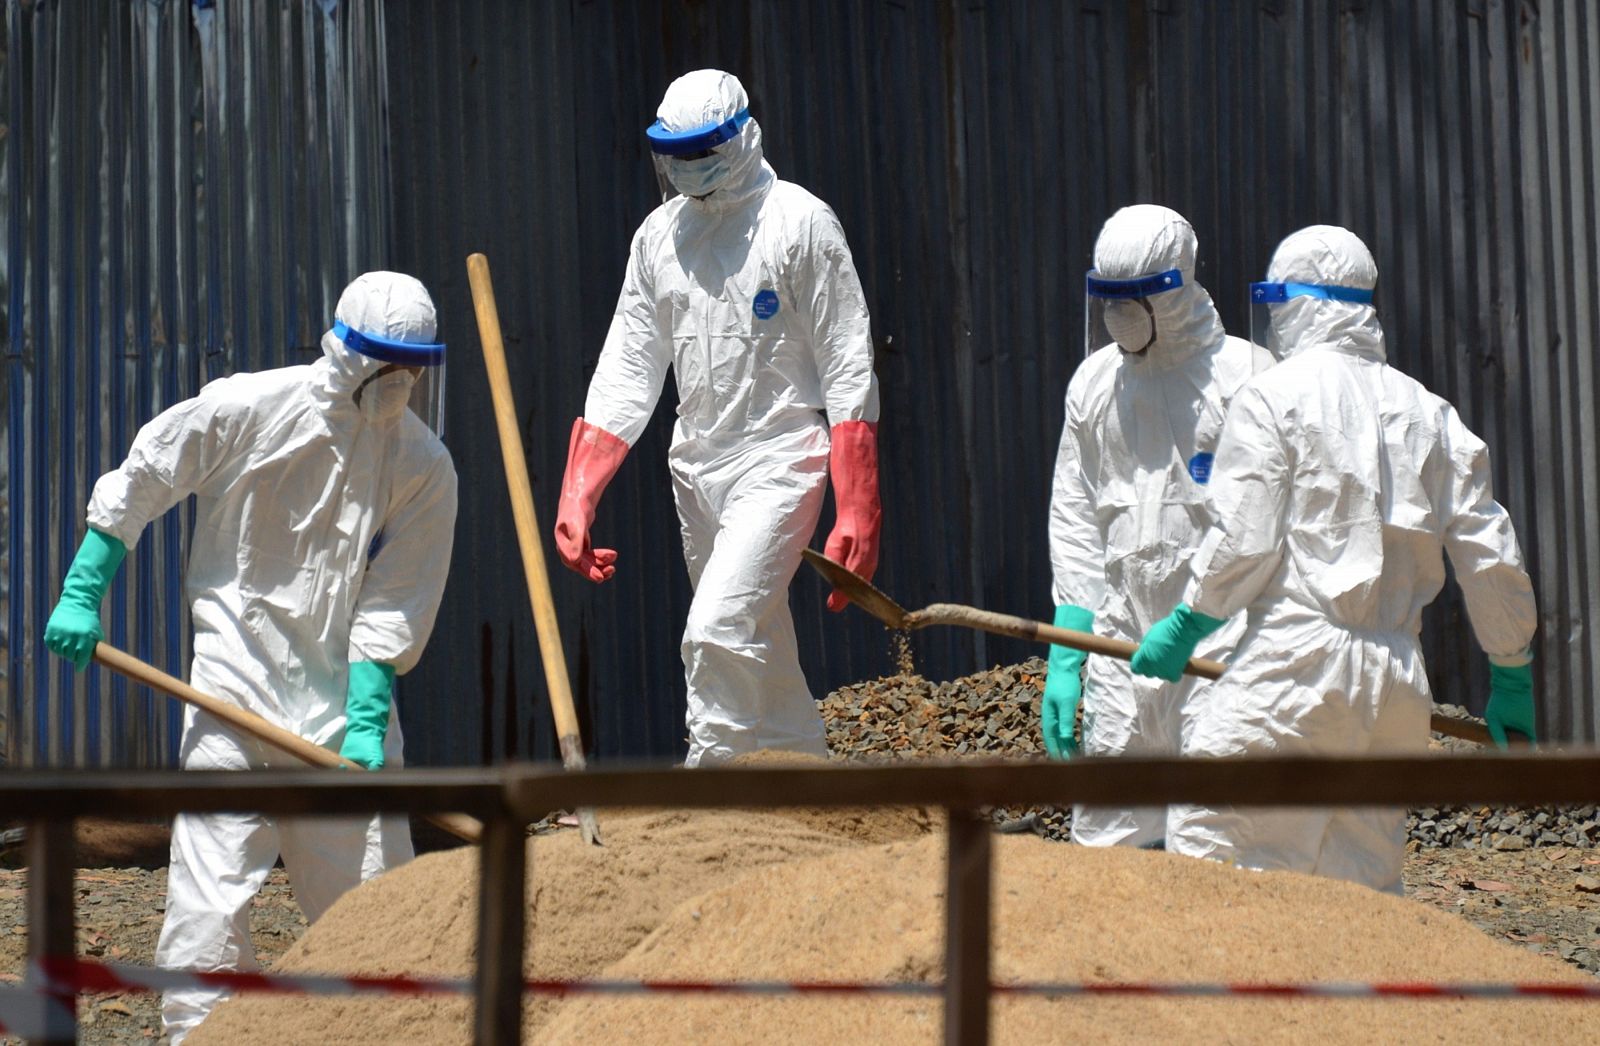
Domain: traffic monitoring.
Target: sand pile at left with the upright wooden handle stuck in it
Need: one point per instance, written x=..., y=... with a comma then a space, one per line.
x=588, y=908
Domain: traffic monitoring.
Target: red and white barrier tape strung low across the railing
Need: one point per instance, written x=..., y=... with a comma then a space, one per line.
x=89, y=976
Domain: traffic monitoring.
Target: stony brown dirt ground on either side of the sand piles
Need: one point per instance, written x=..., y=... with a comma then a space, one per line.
x=1537, y=900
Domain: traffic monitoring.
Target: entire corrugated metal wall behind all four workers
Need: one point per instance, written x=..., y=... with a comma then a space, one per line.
x=972, y=153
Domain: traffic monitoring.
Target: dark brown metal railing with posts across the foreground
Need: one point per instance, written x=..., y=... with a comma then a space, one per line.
x=508, y=799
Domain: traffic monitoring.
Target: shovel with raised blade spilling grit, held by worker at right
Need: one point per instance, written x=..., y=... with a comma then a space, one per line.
x=868, y=597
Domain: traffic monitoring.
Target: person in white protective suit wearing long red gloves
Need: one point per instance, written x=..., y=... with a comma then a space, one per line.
x=745, y=287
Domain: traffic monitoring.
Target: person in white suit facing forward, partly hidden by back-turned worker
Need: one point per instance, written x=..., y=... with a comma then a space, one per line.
x=1145, y=413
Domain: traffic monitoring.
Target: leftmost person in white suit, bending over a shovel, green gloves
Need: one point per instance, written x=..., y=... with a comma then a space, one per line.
x=324, y=524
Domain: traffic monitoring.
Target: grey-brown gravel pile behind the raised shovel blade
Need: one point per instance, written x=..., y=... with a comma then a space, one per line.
x=996, y=713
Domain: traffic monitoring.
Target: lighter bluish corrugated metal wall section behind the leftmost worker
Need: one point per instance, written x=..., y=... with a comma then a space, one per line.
x=183, y=194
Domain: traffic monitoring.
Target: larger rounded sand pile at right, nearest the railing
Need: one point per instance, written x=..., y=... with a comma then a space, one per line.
x=1068, y=914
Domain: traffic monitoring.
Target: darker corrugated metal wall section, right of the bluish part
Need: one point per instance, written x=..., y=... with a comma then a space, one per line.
x=972, y=153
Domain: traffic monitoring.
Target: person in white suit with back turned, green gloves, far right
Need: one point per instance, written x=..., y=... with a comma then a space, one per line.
x=1337, y=485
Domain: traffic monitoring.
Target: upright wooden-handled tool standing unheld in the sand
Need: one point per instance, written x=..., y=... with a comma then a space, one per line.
x=527, y=521
